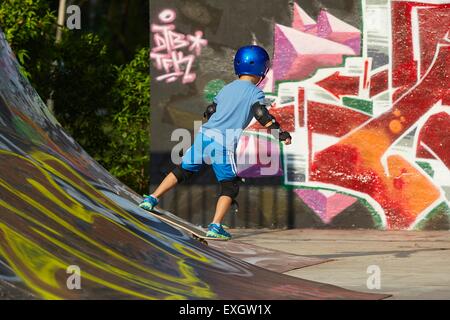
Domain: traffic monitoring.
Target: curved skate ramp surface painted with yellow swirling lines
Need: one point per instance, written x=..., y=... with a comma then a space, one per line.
x=59, y=208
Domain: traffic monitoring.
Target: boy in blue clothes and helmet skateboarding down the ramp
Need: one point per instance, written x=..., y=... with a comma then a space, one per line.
x=233, y=108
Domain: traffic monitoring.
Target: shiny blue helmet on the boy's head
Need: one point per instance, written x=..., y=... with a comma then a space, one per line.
x=252, y=60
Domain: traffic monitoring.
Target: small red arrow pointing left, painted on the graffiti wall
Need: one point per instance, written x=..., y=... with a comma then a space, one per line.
x=340, y=85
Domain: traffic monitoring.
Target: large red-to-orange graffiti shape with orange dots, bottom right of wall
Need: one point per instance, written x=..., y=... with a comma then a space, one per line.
x=355, y=161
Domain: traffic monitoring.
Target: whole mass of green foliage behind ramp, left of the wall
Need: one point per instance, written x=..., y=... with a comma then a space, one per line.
x=103, y=106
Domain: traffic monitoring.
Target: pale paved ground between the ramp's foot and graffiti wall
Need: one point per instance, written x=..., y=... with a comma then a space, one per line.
x=412, y=264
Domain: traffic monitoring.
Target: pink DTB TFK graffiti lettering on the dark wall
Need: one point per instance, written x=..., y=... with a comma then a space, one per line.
x=174, y=53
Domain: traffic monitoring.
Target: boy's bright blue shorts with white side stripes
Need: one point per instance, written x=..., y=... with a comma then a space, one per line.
x=206, y=151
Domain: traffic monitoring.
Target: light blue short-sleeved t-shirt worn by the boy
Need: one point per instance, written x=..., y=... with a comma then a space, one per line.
x=233, y=112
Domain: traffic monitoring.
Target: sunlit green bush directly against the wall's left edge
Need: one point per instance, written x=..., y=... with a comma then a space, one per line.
x=129, y=148
